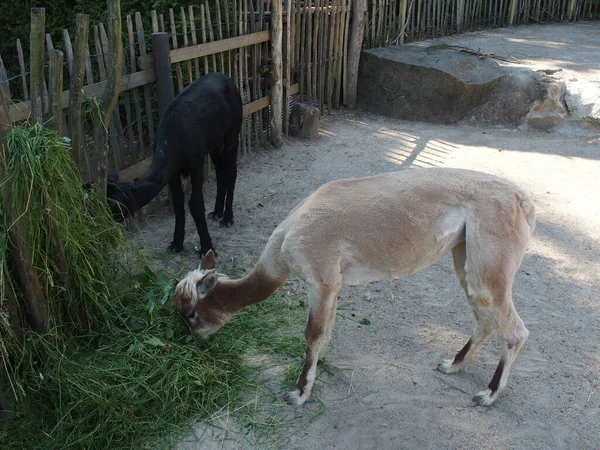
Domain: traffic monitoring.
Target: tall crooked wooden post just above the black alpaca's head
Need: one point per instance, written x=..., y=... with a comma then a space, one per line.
x=108, y=102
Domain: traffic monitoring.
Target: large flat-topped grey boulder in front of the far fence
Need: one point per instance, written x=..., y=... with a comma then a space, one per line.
x=431, y=83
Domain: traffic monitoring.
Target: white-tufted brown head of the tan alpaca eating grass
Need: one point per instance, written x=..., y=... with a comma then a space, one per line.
x=198, y=303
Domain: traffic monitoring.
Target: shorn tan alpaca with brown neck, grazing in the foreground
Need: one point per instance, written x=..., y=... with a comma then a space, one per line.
x=356, y=231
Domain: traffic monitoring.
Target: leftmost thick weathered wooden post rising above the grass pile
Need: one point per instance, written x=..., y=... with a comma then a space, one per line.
x=36, y=63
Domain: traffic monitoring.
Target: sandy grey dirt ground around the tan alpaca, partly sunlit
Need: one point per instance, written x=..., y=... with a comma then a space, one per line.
x=381, y=389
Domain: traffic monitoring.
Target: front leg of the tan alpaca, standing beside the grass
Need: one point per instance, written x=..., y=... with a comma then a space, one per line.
x=323, y=302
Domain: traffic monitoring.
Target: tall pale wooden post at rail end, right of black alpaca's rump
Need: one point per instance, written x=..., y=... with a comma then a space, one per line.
x=276, y=88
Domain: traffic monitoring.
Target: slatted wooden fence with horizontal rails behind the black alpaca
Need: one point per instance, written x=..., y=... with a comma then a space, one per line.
x=232, y=37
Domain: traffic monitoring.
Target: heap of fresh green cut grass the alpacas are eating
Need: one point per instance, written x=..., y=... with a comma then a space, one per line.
x=125, y=373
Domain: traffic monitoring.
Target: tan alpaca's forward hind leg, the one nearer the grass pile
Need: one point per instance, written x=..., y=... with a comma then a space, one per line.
x=482, y=329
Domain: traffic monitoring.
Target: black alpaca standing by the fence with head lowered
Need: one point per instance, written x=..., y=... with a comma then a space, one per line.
x=206, y=117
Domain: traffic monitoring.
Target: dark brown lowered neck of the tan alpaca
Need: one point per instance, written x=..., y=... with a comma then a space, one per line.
x=255, y=287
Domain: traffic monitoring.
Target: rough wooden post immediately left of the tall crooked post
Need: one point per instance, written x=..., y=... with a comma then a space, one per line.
x=76, y=85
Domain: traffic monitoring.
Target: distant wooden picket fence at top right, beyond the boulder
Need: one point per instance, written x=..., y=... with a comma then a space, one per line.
x=392, y=22
